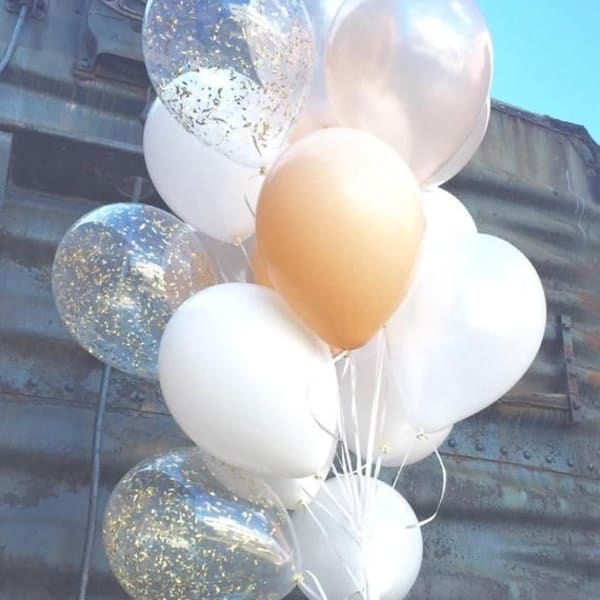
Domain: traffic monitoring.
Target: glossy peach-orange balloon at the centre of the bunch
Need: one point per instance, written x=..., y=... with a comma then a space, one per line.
x=339, y=224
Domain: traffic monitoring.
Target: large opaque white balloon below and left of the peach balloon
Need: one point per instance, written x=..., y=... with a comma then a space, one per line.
x=248, y=382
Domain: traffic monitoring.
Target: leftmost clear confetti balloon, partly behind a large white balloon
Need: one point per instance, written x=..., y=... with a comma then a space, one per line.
x=119, y=274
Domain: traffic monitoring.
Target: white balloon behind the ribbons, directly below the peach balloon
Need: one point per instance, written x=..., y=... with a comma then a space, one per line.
x=395, y=440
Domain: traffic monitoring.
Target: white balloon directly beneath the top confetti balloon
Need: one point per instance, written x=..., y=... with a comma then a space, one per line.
x=206, y=189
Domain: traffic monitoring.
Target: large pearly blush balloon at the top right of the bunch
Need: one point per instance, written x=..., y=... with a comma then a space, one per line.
x=417, y=76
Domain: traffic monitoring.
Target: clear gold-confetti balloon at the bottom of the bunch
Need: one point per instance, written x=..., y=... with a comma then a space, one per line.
x=184, y=526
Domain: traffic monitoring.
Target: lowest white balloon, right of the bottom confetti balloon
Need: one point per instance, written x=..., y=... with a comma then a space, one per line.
x=382, y=553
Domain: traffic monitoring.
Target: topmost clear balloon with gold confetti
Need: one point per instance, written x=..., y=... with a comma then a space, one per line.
x=233, y=72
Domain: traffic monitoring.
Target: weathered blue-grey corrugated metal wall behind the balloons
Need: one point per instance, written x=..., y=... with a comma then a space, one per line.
x=521, y=519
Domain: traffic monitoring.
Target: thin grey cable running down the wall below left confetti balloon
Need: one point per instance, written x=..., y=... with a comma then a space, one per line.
x=90, y=531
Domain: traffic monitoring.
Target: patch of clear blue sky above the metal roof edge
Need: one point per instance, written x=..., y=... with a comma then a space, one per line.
x=547, y=57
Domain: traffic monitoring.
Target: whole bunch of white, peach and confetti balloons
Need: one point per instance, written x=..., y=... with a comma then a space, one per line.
x=379, y=317
